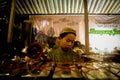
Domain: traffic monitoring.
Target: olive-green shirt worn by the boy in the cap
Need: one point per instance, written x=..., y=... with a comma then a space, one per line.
x=61, y=56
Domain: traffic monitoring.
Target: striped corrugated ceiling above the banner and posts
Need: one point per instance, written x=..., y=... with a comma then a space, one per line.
x=33, y=7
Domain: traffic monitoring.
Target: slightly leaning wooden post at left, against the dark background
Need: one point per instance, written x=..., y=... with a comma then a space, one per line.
x=11, y=21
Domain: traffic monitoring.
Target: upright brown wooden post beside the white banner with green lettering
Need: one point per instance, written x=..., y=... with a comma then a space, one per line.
x=86, y=26
